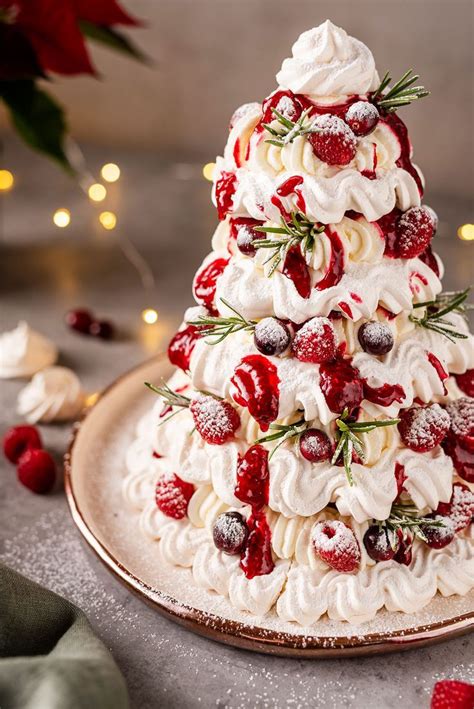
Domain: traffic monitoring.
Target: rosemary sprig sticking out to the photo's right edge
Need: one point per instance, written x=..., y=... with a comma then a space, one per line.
x=445, y=303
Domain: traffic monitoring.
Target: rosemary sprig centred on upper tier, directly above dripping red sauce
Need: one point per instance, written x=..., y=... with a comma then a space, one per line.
x=298, y=231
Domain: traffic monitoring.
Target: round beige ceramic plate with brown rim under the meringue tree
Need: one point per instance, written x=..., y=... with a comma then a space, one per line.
x=94, y=472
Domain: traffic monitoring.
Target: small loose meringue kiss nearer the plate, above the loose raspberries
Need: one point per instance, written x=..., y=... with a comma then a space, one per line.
x=54, y=394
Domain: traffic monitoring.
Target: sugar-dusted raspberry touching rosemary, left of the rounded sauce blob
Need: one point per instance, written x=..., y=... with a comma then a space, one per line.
x=215, y=420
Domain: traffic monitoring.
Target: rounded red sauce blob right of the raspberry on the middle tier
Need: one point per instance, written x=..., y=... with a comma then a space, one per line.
x=256, y=386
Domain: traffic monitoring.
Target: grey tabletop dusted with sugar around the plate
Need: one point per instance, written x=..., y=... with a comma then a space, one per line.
x=43, y=271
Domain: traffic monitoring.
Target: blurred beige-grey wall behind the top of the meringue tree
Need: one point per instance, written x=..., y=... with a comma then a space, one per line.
x=212, y=55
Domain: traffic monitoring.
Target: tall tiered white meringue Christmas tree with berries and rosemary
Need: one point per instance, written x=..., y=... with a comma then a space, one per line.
x=313, y=453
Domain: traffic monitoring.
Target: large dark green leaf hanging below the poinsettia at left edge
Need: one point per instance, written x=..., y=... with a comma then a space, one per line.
x=38, y=119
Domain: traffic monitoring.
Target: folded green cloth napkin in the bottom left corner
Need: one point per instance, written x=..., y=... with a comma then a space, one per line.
x=49, y=656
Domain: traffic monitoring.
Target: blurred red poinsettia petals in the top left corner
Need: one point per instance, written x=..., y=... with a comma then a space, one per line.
x=52, y=28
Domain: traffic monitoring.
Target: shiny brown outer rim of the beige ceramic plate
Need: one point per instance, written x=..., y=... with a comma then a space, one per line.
x=236, y=633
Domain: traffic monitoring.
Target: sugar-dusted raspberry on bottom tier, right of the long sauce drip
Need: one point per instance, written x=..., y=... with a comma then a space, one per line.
x=336, y=544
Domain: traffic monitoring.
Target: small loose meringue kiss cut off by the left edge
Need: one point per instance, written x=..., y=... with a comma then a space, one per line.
x=23, y=352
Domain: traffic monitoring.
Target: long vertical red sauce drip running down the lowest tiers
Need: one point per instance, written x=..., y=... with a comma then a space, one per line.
x=252, y=489
